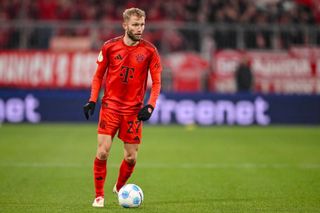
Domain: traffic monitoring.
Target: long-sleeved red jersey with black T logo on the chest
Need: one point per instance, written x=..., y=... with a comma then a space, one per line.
x=126, y=68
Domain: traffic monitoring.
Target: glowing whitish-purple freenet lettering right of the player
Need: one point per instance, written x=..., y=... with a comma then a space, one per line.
x=208, y=112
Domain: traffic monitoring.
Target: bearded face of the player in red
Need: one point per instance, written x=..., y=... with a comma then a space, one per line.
x=134, y=27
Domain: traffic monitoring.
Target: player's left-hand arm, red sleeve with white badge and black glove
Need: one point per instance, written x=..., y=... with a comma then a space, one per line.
x=102, y=64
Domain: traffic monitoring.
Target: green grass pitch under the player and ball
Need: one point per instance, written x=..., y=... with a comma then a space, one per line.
x=48, y=168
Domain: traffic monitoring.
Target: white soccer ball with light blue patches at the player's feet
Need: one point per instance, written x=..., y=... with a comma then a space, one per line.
x=130, y=196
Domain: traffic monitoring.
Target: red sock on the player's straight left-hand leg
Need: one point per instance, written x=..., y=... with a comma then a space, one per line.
x=100, y=172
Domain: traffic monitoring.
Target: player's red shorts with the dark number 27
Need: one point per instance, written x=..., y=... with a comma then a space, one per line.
x=129, y=127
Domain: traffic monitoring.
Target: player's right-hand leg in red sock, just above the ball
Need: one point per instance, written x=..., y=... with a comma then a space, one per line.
x=128, y=164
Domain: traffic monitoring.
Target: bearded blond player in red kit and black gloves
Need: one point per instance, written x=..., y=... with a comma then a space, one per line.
x=125, y=62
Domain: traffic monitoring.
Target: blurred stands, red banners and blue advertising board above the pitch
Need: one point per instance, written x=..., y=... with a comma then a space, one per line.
x=52, y=45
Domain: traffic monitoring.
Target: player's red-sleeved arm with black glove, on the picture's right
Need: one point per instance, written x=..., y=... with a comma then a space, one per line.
x=155, y=72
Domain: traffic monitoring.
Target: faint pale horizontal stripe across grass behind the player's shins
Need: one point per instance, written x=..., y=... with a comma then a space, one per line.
x=171, y=166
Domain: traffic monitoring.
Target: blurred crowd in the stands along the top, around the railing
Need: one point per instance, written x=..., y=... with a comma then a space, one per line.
x=219, y=12
